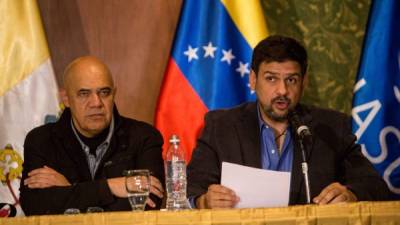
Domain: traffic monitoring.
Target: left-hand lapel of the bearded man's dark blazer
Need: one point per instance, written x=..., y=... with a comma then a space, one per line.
x=248, y=132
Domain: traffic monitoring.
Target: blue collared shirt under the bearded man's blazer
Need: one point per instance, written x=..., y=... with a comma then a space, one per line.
x=270, y=157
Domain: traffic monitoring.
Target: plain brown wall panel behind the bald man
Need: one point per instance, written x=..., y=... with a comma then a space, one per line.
x=133, y=37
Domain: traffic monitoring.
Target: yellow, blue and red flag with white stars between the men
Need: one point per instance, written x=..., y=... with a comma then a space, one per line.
x=209, y=65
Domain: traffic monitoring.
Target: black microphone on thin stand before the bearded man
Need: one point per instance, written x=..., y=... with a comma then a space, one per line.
x=305, y=137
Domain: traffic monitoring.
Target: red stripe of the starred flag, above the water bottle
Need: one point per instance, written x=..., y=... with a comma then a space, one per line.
x=180, y=110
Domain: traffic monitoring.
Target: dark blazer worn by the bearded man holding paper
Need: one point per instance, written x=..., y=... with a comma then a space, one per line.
x=233, y=135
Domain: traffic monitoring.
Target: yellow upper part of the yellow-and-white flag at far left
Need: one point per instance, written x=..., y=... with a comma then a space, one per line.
x=23, y=44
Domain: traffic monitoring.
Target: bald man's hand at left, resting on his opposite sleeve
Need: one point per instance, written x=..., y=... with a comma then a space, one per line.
x=45, y=177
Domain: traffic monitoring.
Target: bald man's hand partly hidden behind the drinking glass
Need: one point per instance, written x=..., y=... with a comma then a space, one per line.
x=117, y=187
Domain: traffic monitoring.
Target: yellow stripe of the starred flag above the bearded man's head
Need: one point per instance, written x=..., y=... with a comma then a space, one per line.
x=248, y=17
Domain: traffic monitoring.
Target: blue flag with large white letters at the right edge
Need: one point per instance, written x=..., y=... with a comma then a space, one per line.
x=376, y=103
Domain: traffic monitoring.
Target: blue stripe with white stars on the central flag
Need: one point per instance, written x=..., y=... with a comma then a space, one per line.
x=217, y=82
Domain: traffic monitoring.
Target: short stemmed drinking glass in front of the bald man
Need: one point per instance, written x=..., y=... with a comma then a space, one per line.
x=137, y=183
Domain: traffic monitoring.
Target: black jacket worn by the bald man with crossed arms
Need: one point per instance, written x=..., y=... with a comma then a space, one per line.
x=134, y=145
